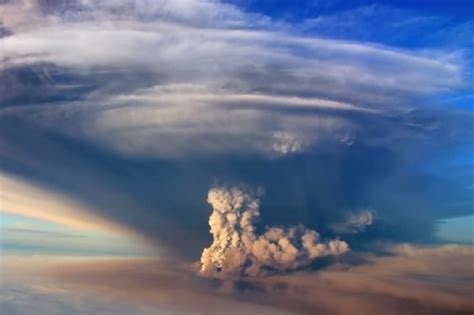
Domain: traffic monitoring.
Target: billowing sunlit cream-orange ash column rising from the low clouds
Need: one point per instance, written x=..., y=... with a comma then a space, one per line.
x=238, y=250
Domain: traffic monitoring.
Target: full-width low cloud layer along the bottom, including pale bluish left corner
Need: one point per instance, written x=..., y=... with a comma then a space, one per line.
x=410, y=280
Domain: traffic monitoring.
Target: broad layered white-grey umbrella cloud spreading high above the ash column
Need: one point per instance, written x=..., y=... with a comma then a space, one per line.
x=220, y=82
